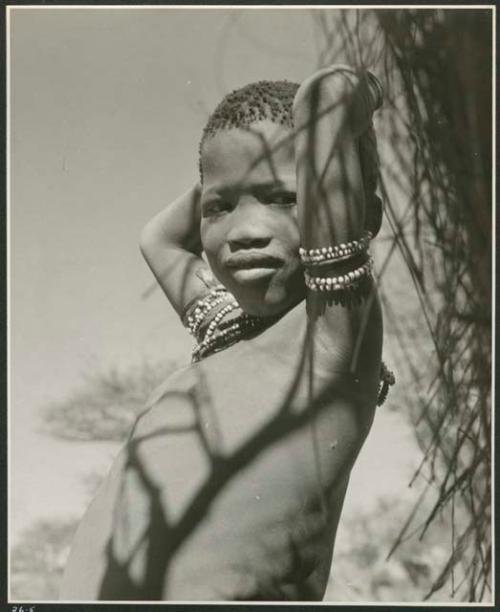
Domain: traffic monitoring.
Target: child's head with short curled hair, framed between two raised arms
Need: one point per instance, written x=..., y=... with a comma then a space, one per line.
x=249, y=226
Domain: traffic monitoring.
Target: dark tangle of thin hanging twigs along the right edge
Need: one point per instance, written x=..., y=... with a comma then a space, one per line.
x=436, y=183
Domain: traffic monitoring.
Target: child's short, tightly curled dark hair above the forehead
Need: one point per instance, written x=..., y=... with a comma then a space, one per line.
x=273, y=100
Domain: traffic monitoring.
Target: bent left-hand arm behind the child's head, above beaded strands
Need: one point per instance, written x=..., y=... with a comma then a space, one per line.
x=170, y=243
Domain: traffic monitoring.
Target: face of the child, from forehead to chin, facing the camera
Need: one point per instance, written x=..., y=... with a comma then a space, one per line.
x=249, y=224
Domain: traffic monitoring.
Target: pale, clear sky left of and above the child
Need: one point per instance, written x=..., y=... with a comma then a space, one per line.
x=106, y=111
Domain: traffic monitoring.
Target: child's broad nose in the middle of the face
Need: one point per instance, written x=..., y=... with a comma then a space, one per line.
x=250, y=227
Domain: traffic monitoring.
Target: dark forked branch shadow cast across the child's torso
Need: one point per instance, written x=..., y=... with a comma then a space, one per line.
x=163, y=537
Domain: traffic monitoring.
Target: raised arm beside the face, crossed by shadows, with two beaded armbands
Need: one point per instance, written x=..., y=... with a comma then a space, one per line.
x=332, y=110
